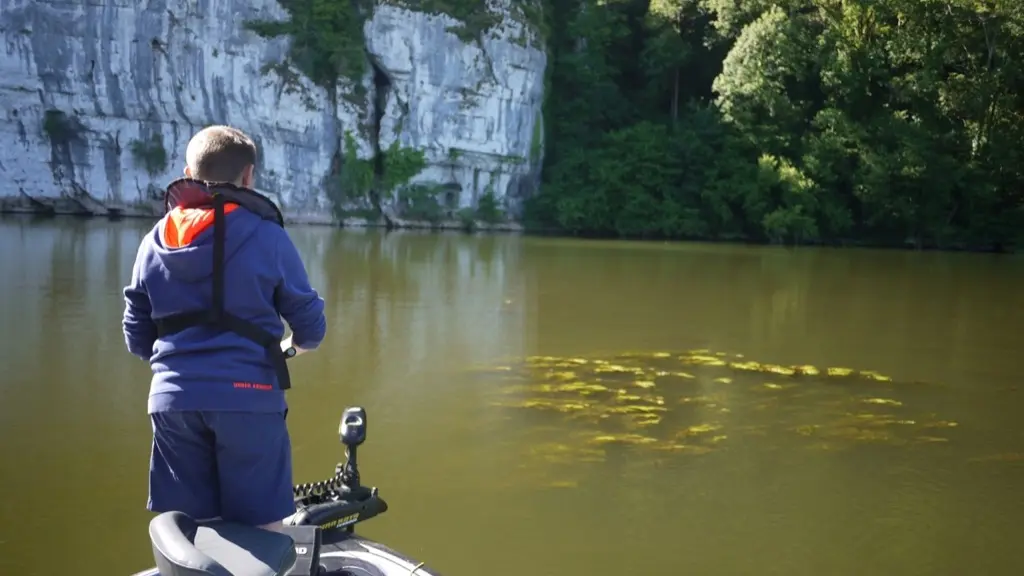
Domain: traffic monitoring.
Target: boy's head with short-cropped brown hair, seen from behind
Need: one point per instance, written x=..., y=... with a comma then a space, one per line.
x=222, y=154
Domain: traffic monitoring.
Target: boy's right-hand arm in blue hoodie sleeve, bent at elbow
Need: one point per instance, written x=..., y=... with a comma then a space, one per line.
x=298, y=304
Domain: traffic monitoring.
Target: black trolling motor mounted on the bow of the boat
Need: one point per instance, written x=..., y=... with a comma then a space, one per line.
x=342, y=502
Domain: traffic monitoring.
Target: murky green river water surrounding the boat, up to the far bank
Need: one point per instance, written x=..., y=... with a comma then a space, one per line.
x=565, y=408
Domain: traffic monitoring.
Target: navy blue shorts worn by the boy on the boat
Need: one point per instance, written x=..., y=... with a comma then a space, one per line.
x=235, y=466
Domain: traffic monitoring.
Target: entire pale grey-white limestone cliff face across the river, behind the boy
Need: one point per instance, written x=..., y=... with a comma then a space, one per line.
x=100, y=99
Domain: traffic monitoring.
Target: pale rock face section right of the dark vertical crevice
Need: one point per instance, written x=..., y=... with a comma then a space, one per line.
x=474, y=108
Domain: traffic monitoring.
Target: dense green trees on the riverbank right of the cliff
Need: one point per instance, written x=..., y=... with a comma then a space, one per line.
x=887, y=122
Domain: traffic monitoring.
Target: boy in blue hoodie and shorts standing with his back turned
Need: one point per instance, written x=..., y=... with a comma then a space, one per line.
x=221, y=445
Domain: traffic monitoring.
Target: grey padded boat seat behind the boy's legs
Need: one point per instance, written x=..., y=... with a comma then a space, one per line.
x=183, y=547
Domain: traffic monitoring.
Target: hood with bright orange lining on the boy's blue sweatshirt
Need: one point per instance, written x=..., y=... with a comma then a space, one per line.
x=183, y=240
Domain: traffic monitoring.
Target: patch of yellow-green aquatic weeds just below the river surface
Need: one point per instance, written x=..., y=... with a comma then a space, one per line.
x=698, y=402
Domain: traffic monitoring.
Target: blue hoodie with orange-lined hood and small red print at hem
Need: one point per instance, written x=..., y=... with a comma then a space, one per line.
x=200, y=368
